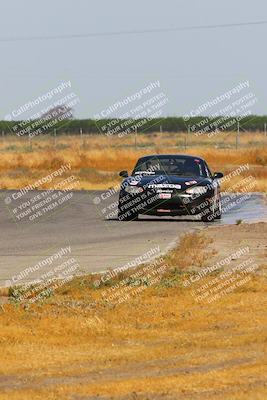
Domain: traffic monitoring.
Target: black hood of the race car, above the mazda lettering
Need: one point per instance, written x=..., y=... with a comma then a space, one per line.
x=157, y=180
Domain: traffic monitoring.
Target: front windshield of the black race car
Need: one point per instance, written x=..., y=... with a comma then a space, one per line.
x=181, y=166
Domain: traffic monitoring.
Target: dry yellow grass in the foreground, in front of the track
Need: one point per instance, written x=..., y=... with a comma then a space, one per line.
x=159, y=343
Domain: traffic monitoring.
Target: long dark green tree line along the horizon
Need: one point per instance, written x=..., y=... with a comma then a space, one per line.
x=168, y=124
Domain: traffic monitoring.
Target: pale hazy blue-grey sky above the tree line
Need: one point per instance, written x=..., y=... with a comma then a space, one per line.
x=192, y=66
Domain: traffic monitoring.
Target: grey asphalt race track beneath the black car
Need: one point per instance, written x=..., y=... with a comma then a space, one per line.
x=87, y=226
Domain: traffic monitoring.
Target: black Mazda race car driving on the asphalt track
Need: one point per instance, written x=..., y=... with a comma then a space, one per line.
x=170, y=185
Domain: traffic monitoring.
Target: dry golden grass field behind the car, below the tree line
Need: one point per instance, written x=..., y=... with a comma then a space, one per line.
x=98, y=162
